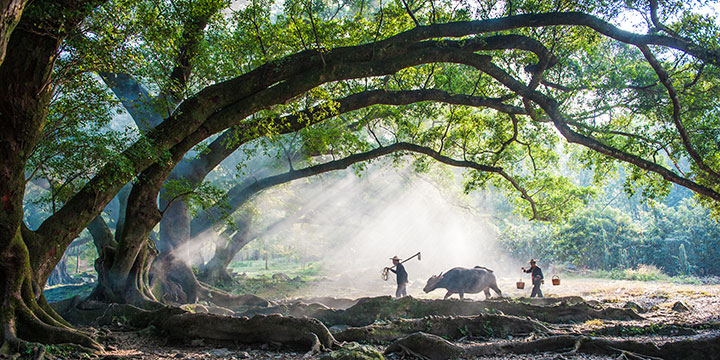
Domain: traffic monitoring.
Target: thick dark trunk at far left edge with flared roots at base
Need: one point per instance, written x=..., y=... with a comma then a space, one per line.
x=27, y=259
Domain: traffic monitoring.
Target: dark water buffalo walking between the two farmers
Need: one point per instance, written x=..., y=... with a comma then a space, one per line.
x=464, y=281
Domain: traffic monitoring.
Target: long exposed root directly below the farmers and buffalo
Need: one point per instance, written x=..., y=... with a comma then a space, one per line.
x=368, y=310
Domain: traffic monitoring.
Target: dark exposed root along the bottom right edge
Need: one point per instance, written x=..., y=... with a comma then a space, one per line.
x=436, y=348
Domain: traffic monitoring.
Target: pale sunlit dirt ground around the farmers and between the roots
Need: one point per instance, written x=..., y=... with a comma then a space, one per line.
x=661, y=323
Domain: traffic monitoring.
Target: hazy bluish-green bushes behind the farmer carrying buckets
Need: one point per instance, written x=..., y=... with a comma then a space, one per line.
x=637, y=243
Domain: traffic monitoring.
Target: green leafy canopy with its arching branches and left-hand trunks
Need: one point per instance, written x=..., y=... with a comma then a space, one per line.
x=507, y=89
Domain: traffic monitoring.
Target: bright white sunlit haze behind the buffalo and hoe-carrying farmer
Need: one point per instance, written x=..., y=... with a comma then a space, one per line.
x=353, y=224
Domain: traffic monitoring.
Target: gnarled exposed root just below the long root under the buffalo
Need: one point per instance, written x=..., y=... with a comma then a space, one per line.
x=452, y=327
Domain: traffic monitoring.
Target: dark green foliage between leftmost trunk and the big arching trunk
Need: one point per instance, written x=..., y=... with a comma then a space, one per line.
x=77, y=141
